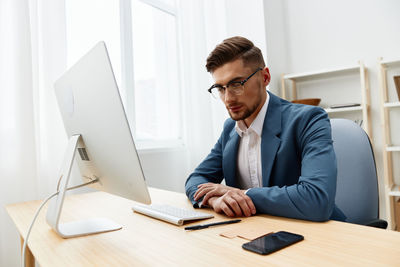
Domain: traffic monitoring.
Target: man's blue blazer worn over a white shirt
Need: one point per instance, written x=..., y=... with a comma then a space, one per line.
x=298, y=163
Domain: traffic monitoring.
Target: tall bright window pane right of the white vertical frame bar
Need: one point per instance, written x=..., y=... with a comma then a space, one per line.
x=155, y=65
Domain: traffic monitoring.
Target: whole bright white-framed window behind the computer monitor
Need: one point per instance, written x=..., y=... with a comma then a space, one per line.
x=142, y=39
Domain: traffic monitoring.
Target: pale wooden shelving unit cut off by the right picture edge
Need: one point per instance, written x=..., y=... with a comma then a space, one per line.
x=391, y=189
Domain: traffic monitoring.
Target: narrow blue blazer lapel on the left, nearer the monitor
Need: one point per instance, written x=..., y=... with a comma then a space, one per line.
x=230, y=159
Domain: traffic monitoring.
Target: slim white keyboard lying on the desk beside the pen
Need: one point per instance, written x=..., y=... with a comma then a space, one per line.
x=170, y=214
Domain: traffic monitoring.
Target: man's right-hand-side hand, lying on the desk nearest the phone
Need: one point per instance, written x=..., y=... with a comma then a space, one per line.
x=233, y=203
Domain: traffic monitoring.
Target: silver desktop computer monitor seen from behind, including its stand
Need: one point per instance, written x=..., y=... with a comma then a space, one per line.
x=100, y=140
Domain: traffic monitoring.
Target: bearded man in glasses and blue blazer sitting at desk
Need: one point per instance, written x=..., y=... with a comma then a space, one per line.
x=276, y=157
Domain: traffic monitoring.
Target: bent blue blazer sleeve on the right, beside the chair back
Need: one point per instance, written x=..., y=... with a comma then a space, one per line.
x=312, y=198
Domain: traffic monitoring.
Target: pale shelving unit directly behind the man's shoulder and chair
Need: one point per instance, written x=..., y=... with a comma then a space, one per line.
x=336, y=72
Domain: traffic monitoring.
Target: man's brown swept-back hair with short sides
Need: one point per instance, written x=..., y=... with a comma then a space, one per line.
x=234, y=48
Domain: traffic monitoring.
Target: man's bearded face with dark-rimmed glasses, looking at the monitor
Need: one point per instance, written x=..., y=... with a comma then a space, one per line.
x=246, y=106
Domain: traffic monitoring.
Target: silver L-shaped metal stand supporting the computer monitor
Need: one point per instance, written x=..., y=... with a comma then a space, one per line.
x=76, y=228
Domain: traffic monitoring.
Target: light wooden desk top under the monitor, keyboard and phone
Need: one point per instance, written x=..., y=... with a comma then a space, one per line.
x=144, y=241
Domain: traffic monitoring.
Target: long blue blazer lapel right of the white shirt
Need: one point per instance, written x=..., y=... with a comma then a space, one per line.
x=270, y=141
